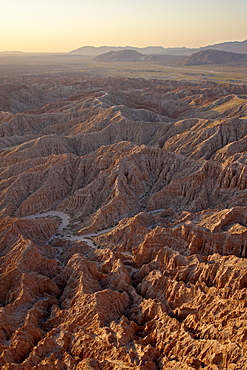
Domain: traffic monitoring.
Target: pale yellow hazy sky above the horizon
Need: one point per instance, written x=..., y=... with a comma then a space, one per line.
x=64, y=25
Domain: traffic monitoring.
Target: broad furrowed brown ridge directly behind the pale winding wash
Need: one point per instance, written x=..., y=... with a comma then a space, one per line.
x=120, y=180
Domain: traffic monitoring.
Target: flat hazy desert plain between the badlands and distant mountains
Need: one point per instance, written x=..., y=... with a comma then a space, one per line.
x=11, y=63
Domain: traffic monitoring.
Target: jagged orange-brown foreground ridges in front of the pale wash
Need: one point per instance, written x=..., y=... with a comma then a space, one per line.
x=99, y=310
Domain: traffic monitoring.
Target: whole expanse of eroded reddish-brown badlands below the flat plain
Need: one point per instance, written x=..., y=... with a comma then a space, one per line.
x=123, y=227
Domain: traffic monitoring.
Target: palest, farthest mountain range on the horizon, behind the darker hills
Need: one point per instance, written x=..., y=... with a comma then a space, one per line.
x=234, y=46
